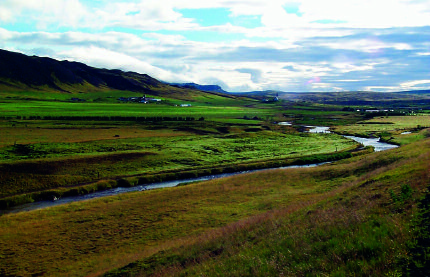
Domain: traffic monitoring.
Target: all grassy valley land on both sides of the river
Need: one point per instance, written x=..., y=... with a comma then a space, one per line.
x=360, y=216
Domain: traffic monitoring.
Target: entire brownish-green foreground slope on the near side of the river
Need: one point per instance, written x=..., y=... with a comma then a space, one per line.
x=350, y=217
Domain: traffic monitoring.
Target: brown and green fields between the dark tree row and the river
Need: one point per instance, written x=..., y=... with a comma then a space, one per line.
x=104, y=151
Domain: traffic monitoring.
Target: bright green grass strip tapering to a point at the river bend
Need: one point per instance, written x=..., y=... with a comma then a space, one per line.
x=206, y=148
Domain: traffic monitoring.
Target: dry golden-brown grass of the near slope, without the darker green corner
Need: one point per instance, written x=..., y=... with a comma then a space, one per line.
x=91, y=237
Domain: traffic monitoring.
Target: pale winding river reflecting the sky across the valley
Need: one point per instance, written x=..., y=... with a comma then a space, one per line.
x=378, y=146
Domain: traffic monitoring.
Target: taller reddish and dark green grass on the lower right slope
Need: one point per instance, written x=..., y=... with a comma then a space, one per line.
x=356, y=229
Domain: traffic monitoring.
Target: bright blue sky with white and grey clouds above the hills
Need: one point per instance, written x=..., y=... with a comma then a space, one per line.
x=241, y=45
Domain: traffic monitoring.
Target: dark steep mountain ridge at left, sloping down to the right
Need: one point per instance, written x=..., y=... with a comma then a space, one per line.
x=19, y=72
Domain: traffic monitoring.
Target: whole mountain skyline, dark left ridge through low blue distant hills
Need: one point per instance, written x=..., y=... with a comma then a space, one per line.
x=19, y=72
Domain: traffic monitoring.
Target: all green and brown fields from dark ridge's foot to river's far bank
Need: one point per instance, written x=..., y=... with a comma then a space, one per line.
x=50, y=146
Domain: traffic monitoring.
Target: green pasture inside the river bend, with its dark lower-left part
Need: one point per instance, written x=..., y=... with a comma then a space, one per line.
x=40, y=166
